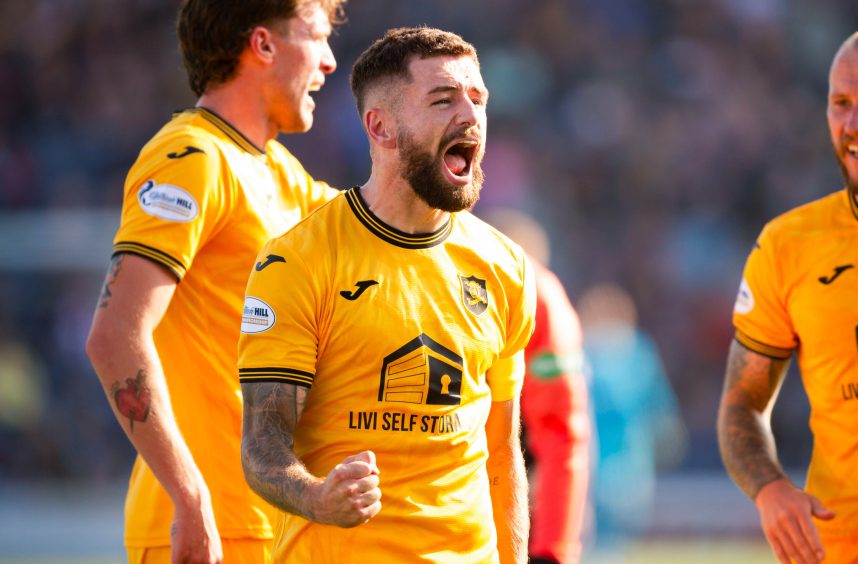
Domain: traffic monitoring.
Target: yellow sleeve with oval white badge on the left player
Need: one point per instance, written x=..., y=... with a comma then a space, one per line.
x=174, y=198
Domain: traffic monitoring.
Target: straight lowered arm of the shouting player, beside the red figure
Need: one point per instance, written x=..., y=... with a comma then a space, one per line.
x=507, y=481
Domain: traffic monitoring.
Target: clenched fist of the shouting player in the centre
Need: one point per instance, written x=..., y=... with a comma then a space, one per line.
x=350, y=495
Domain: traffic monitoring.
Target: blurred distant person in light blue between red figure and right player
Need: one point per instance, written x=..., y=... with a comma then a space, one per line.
x=638, y=428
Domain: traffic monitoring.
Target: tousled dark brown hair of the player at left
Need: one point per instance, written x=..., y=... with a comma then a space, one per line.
x=213, y=33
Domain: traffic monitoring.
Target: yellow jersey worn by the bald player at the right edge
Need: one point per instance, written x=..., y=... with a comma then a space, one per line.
x=800, y=293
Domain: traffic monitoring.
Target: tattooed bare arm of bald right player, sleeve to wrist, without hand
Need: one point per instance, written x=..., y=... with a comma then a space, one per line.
x=744, y=433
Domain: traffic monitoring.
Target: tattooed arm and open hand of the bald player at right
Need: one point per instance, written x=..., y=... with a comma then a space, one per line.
x=748, y=449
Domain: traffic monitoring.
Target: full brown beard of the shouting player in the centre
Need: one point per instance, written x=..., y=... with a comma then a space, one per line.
x=422, y=170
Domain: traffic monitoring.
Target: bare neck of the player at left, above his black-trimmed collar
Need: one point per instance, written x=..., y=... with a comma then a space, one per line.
x=245, y=112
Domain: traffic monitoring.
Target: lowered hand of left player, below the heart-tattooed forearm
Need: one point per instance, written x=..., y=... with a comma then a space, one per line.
x=194, y=535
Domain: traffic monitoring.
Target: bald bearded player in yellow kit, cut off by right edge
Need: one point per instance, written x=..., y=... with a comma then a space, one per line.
x=798, y=295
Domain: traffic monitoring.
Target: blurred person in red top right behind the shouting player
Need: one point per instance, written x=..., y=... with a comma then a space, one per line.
x=553, y=404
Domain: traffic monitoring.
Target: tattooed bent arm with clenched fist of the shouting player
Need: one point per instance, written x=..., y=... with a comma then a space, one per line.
x=347, y=497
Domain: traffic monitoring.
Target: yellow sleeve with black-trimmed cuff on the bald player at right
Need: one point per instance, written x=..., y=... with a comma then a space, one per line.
x=760, y=313
